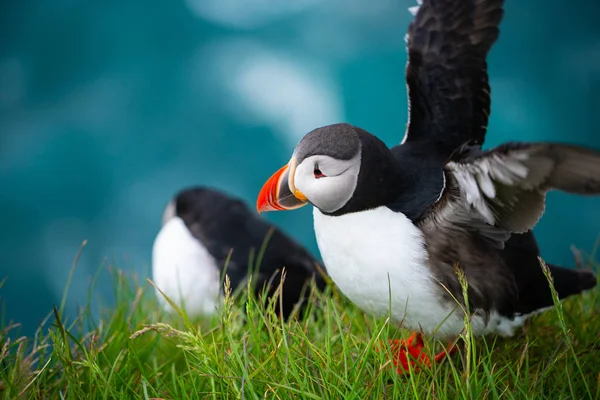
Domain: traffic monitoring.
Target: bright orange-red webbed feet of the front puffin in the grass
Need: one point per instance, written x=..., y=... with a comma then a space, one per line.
x=410, y=351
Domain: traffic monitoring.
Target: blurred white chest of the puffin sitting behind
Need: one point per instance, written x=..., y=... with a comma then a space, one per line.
x=184, y=270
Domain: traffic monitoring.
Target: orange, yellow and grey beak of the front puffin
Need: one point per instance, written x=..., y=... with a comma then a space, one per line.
x=279, y=192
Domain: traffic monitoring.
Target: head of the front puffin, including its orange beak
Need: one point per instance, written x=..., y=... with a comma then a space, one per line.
x=337, y=168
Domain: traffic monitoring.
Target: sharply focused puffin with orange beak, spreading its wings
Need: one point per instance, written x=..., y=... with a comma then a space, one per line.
x=392, y=224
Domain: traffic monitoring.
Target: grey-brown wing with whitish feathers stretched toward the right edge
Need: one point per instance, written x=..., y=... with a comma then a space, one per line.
x=506, y=187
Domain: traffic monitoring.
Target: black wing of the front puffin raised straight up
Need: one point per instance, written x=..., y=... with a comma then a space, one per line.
x=446, y=74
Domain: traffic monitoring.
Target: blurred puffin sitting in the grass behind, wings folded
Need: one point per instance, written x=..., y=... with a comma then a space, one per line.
x=205, y=234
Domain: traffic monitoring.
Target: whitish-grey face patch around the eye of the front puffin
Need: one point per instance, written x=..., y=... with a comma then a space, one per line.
x=334, y=189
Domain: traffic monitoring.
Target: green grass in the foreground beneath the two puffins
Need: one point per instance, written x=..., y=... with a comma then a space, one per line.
x=135, y=351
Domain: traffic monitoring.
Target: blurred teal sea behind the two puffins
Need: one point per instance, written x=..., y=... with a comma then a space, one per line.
x=108, y=108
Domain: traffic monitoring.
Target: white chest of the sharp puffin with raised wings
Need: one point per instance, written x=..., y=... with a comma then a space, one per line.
x=378, y=258
